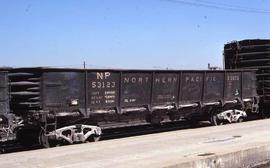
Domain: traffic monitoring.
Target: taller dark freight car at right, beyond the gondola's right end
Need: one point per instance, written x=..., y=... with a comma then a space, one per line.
x=252, y=54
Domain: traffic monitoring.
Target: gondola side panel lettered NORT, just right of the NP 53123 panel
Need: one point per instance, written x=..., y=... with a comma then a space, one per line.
x=135, y=88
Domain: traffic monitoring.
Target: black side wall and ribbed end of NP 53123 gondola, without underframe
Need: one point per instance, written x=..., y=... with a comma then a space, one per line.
x=113, y=89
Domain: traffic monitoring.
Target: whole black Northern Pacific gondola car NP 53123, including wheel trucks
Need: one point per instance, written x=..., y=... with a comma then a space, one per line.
x=65, y=106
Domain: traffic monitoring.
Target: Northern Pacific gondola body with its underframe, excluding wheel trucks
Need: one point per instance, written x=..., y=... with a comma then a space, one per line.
x=114, y=96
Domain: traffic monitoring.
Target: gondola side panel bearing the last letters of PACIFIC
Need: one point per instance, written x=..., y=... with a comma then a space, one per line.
x=213, y=86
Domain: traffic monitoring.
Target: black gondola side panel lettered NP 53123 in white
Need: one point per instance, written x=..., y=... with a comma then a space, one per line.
x=103, y=89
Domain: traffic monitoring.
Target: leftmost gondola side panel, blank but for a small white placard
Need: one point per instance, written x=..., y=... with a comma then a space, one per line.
x=63, y=91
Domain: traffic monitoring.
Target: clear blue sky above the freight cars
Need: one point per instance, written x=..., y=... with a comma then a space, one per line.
x=134, y=34
